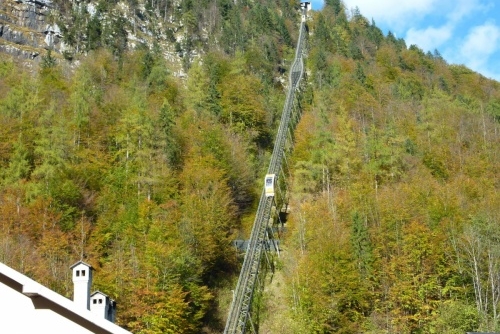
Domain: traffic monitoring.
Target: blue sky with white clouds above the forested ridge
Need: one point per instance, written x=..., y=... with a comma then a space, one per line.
x=463, y=31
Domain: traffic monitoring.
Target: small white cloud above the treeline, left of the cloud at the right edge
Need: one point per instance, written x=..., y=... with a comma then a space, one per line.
x=429, y=38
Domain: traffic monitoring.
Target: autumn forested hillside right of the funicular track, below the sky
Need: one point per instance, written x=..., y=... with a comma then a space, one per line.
x=395, y=208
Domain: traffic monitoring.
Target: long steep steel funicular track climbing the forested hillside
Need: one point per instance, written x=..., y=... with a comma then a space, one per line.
x=242, y=296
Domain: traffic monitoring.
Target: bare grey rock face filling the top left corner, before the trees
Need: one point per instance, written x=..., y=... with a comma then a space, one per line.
x=25, y=29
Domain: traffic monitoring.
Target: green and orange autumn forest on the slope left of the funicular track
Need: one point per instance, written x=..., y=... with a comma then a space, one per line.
x=146, y=176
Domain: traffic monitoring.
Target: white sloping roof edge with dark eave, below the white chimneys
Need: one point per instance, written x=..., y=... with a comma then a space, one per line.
x=44, y=298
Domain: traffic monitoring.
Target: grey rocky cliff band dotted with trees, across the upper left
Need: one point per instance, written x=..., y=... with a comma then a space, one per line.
x=29, y=28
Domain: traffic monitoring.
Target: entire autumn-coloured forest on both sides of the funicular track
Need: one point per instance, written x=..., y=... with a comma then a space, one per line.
x=108, y=156
